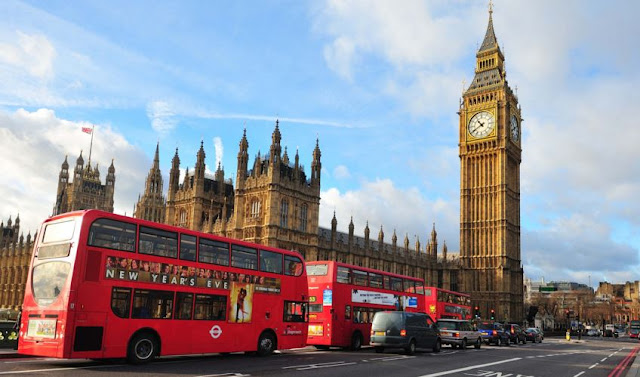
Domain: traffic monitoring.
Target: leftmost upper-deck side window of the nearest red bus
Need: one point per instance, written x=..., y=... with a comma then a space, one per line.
x=112, y=234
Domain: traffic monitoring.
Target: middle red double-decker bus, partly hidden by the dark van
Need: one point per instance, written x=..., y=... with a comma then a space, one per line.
x=343, y=299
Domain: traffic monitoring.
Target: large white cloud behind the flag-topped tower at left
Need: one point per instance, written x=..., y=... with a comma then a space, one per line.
x=37, y=143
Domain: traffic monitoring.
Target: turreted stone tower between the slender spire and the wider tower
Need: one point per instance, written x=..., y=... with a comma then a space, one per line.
x=199, y=201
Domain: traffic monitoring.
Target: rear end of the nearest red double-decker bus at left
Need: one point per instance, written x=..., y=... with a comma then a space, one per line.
x=46, y=310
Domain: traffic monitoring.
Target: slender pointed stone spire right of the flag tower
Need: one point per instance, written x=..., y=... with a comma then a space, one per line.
x=151, y=206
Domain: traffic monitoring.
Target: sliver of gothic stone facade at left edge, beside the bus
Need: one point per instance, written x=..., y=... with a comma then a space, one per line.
x=15, y=255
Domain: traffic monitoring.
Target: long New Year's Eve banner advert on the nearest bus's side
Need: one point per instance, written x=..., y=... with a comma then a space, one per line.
x=172, y=274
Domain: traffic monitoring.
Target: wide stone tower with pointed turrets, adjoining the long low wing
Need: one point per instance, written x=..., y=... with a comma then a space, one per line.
x=275, y=203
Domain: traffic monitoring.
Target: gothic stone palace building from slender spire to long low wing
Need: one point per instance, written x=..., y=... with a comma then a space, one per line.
x=275, y=203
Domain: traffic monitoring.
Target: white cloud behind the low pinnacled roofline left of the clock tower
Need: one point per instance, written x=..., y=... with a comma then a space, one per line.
x=380, y=202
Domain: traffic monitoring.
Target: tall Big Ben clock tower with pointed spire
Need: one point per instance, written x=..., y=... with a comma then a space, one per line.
x=490, y=155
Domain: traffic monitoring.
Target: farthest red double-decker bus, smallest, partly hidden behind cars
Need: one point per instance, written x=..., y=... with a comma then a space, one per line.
x=442, y=303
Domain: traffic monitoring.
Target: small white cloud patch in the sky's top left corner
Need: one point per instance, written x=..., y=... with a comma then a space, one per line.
x=32, y=53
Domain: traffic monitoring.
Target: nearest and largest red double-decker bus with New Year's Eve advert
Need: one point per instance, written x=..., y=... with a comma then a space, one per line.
x=107, y=286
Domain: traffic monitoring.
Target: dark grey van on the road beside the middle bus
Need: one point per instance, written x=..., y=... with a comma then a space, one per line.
x=404, y=330
